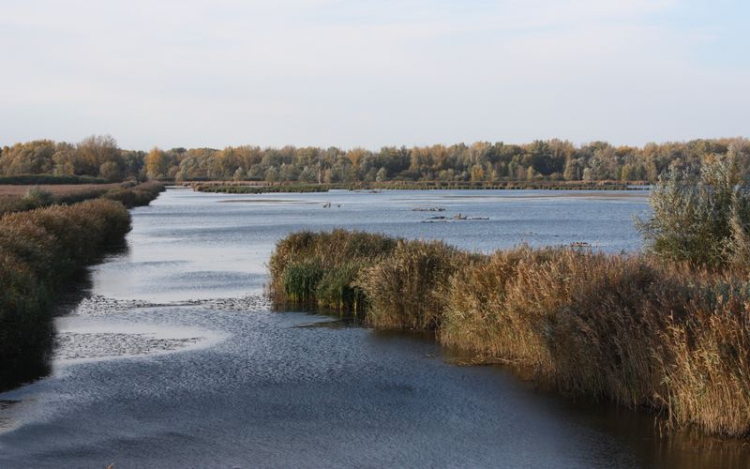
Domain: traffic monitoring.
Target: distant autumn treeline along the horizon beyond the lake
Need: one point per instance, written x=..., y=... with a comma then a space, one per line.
x=548, y=160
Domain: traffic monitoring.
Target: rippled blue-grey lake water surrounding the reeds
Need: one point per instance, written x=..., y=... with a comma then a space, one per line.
x=174, y=359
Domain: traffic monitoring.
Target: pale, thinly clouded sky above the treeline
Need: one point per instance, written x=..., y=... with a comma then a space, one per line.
x=351, y=73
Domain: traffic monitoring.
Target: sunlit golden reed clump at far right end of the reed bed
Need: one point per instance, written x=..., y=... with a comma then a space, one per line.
x=707, y=372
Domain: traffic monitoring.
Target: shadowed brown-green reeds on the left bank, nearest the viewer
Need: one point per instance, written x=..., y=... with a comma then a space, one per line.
x=40, y=249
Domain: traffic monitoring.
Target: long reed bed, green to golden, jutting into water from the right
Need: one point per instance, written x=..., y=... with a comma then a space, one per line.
x=628, y=329
